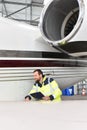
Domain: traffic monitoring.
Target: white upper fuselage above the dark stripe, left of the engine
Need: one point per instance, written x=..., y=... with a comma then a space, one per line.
x=20, y=36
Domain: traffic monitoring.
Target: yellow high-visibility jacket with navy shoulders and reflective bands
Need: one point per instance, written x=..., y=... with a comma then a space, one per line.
x=49, y=87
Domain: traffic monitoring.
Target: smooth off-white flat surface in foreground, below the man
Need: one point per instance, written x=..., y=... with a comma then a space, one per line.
x=68, y=115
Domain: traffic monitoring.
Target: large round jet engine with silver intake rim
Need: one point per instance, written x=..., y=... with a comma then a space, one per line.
x=62, y=21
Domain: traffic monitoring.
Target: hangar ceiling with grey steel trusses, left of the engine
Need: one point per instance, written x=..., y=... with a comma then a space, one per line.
x=22, y=10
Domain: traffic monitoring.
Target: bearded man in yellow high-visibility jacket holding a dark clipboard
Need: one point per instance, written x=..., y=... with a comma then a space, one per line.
x=46, y=87
